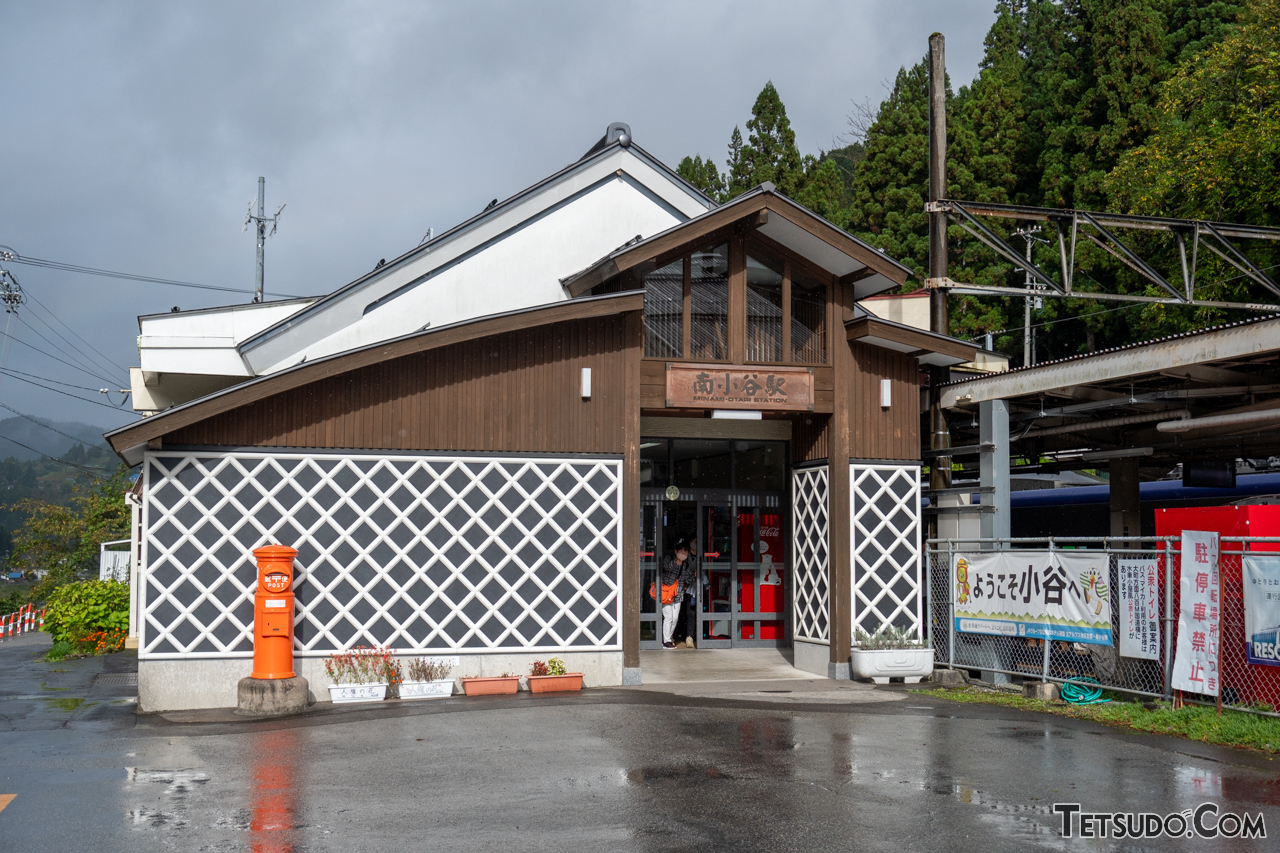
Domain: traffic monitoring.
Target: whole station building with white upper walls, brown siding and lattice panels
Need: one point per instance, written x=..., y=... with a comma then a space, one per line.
x=483, y=449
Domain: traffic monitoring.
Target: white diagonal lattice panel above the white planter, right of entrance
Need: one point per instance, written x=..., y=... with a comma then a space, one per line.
x=885, y=542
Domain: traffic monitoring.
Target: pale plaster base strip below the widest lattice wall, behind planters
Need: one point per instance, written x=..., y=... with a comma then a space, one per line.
x=211, y=683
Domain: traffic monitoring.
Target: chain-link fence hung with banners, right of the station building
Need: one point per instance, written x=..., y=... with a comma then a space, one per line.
x=1141, y=590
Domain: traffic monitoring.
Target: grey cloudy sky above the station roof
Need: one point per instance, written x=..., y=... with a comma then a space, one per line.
x=135, y=133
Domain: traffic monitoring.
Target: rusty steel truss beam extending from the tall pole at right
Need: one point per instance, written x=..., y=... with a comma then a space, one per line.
x=1100, y=230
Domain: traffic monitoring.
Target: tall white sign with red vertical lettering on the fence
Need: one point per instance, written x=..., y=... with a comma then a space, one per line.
x=1199, y=615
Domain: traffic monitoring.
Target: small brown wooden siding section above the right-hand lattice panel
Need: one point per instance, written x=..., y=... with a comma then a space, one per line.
x=884, y=434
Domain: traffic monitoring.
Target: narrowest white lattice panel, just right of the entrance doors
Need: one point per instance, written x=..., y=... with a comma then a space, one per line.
x=811, y=546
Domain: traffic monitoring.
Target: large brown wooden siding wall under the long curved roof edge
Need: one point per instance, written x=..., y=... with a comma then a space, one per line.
x=516, y=393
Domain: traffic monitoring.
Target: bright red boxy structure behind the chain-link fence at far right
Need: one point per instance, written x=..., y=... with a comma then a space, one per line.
x=1242, y=682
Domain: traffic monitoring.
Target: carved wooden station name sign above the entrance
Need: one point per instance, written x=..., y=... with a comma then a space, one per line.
x=714, y=386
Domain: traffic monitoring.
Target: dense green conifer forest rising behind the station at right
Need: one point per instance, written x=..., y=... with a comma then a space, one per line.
x=1149, y=107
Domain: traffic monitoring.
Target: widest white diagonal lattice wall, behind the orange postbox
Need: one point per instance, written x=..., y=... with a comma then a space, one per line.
x=422, y=554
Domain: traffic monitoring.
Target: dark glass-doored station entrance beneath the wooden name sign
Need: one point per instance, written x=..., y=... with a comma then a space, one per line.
x=730, y=499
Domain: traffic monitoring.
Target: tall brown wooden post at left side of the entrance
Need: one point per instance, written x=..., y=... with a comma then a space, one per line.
x=632, y=504
